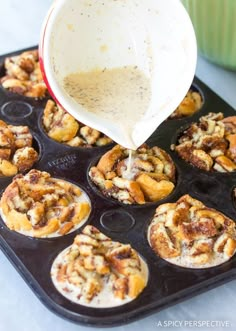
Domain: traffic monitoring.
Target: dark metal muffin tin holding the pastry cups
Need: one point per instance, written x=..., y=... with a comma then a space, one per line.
x=167, y=284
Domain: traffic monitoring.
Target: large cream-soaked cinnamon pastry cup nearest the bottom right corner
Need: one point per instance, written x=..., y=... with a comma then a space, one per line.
x=189, y=234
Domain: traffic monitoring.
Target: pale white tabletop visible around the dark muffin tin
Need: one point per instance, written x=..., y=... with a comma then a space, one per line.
x=20, y=310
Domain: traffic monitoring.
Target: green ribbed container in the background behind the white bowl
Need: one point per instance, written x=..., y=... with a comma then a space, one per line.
x=214, y=22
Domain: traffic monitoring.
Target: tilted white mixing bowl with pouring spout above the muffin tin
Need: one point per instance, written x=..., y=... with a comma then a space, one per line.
x=156, y=36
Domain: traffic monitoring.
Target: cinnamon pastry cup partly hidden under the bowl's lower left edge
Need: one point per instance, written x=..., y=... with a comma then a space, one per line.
x=64, y=128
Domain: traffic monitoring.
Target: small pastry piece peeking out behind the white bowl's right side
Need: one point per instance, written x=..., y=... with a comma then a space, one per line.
x=190, y=105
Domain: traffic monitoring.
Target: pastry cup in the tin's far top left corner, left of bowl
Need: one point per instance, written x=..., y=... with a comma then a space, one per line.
x=23, y=75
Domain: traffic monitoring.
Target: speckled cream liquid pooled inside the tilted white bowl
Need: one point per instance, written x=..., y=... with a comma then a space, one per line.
x=121, y=95
